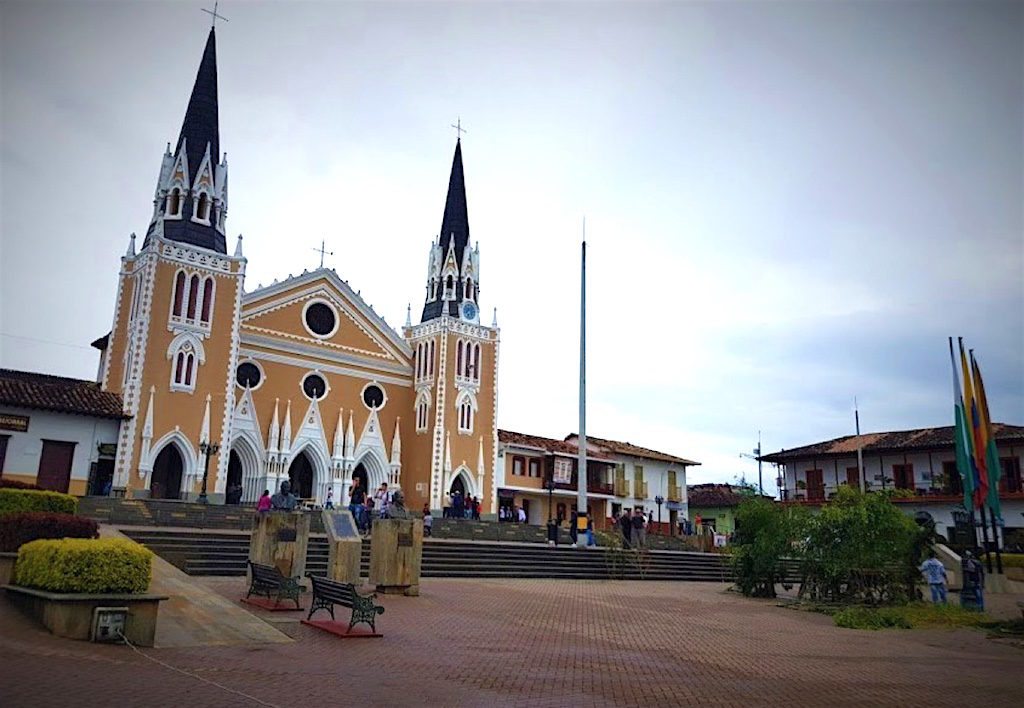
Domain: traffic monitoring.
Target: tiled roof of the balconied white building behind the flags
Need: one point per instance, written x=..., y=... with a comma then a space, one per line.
x=902, y=441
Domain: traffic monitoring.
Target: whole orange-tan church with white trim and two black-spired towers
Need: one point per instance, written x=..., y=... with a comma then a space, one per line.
x=301, y=381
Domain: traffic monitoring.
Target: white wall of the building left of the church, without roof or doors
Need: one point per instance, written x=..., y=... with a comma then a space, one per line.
x=25, y=449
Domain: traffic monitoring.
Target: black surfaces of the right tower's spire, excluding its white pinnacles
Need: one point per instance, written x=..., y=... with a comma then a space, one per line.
x=455, y=227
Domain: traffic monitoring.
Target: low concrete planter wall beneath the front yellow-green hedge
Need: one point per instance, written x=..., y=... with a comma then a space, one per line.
x=70, y=615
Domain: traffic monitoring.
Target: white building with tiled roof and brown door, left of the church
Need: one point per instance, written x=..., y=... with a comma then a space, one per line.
x=60, y=434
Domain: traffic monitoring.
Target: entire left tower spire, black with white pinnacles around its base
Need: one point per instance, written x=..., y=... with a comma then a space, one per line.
x=192, y=194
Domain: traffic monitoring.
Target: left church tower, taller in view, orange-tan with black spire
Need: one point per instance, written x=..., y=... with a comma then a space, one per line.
x=174, y=345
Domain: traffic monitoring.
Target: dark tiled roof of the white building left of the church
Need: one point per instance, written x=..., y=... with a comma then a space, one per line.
x=27, y=390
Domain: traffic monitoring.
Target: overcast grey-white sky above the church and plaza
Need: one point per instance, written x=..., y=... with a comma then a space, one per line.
x=788, y=204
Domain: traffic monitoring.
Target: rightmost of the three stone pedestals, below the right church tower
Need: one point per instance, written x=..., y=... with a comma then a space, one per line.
x=396, y=556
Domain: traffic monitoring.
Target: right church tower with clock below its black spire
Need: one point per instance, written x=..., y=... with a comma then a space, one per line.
x=455, y=365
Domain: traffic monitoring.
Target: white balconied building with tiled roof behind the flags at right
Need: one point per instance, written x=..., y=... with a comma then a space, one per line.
x=923, y=463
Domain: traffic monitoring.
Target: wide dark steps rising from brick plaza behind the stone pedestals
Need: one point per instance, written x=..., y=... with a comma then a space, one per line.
x=225, y=554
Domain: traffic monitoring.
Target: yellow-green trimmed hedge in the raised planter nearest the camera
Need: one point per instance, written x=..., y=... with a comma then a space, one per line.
x=91, y=566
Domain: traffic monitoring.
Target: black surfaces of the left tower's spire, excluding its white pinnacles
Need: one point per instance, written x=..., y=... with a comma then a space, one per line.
x=200, y=129
